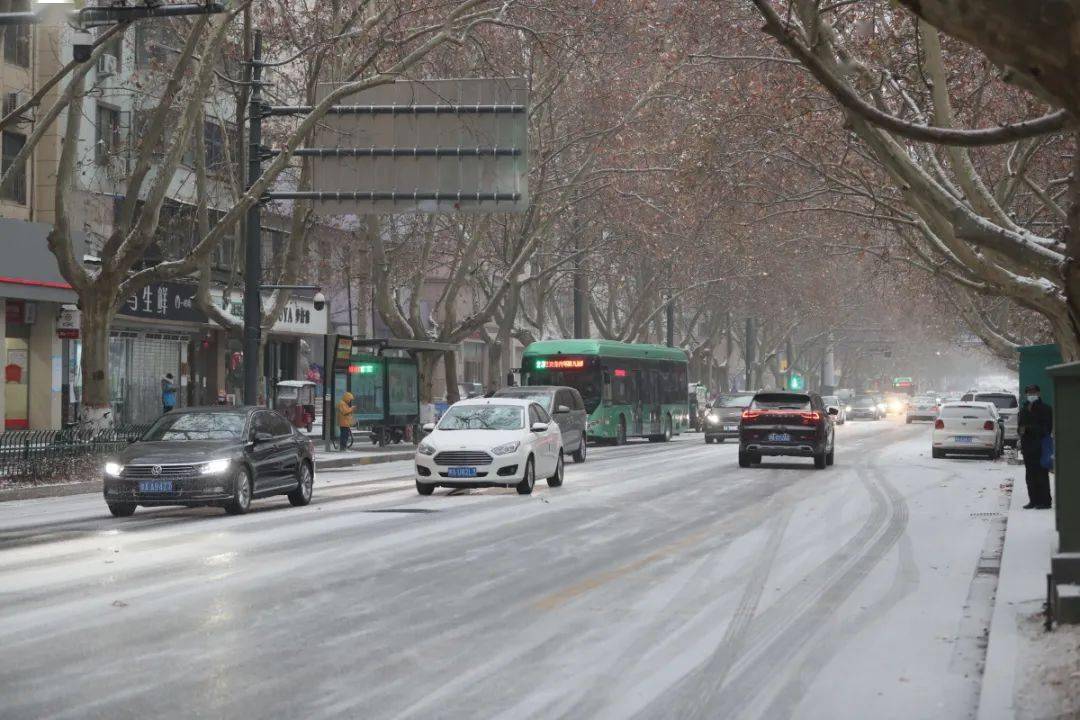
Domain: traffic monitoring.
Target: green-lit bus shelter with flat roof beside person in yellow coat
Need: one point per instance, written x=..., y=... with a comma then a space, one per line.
x=384, y=377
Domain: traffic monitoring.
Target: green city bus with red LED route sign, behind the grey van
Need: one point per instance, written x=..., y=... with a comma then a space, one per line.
x=630, y=390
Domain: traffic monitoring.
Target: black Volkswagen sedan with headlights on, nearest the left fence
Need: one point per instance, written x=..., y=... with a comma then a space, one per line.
x=215, y=456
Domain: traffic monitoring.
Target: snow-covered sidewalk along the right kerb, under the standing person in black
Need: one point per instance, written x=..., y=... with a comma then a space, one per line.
x=1029, y=673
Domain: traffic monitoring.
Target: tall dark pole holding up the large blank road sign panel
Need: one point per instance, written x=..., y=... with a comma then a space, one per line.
x=253, y=243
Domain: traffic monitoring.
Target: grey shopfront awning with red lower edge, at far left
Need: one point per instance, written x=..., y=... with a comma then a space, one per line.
x=30, y=270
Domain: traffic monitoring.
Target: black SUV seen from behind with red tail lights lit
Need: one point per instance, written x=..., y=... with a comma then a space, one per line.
x=781, y=424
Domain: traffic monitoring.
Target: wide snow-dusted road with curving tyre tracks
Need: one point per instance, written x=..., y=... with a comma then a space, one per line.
x=661, y=581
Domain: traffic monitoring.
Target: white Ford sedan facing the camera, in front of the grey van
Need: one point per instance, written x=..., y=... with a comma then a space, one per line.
x=491, y=442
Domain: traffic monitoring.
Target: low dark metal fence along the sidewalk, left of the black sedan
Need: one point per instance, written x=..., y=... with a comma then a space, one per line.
x=61, y=455
